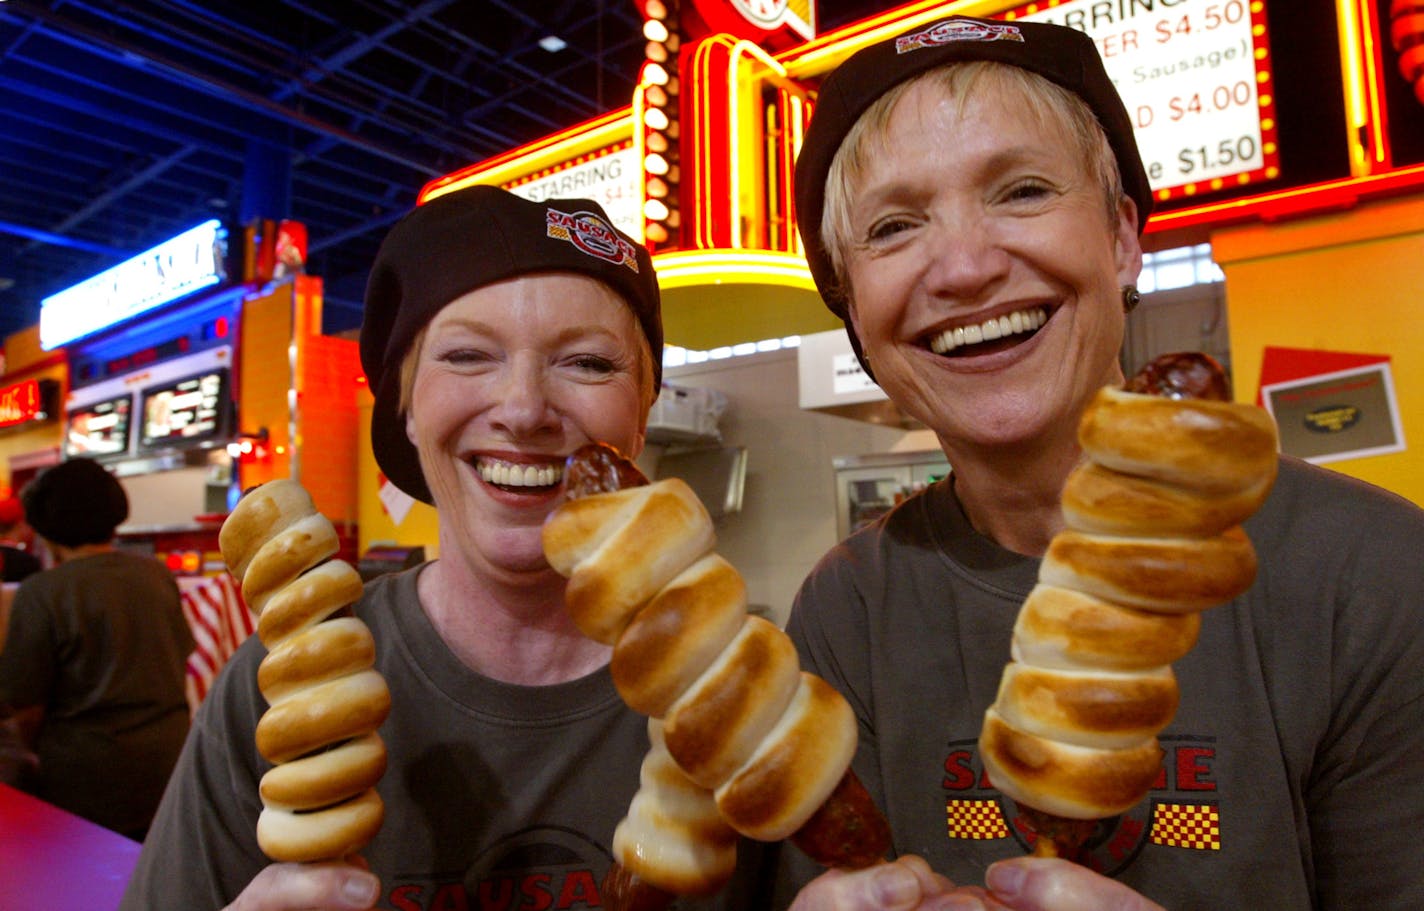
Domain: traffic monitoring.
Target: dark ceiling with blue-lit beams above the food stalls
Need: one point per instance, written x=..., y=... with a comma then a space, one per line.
x=123, y=125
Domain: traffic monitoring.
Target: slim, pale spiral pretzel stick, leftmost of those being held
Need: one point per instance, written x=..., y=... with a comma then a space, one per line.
x=325, y=697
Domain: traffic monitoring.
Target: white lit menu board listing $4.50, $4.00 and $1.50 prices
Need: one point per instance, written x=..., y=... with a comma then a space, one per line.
x=1195, y=78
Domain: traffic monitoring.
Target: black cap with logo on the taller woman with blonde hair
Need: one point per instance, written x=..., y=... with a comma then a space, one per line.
x=1060, y=55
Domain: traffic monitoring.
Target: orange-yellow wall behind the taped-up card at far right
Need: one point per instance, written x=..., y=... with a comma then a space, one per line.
x=1342, y=283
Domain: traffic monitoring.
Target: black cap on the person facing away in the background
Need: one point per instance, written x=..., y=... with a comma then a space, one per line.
x=76, y=503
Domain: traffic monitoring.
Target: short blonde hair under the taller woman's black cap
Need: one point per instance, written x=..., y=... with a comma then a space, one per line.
x=1047, y=102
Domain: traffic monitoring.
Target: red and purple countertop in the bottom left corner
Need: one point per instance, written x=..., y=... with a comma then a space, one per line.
x=51, y=859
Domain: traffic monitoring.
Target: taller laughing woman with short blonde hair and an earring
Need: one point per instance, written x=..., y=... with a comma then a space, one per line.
x=972, y=172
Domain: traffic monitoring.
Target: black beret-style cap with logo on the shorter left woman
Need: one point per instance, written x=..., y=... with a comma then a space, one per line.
x=466, y=240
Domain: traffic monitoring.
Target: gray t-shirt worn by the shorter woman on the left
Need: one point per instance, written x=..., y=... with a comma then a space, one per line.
x=496, y=795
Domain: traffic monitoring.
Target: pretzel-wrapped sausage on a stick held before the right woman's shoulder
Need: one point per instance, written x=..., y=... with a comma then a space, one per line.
x=1153, y=539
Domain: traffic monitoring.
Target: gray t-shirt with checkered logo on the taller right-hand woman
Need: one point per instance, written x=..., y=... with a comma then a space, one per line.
x=1292, y=774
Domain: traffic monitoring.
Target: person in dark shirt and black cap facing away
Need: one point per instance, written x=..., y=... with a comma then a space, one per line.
x=96, y=657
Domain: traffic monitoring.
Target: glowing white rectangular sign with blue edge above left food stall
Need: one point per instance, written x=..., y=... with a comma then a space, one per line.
x=174, y=270
